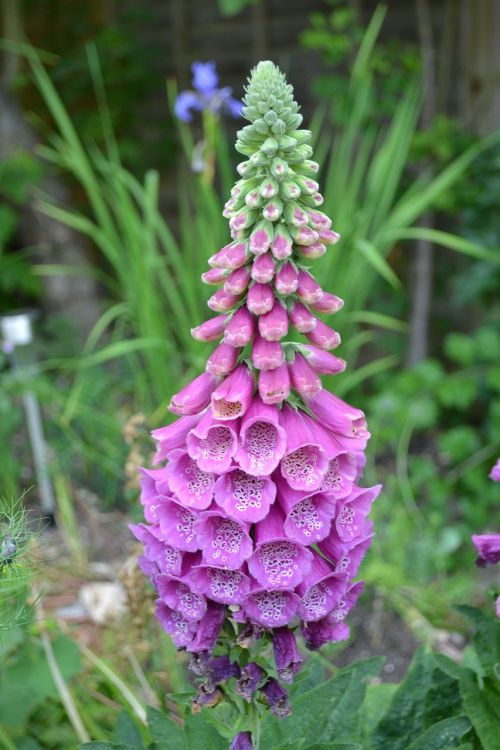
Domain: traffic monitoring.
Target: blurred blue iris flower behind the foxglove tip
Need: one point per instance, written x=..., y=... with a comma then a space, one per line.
x=205, y=95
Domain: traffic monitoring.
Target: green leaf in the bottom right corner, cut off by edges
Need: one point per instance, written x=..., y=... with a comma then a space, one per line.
x=483, y=708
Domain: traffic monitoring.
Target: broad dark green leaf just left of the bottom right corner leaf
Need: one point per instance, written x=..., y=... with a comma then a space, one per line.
x=426, y=696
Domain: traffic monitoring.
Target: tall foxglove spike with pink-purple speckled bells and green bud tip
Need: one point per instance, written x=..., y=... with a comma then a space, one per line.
x=256, y=524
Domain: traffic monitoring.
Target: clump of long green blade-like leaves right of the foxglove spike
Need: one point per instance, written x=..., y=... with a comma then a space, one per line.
x=365, y=186
